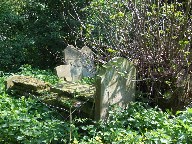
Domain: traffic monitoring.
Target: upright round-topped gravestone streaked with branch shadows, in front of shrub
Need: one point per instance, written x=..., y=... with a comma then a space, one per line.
x=115, y=84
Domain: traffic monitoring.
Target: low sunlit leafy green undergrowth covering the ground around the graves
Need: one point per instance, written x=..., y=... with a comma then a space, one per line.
x=24, y=120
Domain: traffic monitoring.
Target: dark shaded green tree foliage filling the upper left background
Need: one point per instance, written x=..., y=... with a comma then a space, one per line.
x=35, y=32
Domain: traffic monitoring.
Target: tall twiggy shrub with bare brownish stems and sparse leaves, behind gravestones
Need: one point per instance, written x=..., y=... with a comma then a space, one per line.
x=156, y=35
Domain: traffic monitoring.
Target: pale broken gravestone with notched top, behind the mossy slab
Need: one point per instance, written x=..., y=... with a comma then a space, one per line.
x=78, y=64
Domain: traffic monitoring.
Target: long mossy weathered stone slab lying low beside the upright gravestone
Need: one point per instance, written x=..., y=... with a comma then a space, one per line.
x=64, y=96
